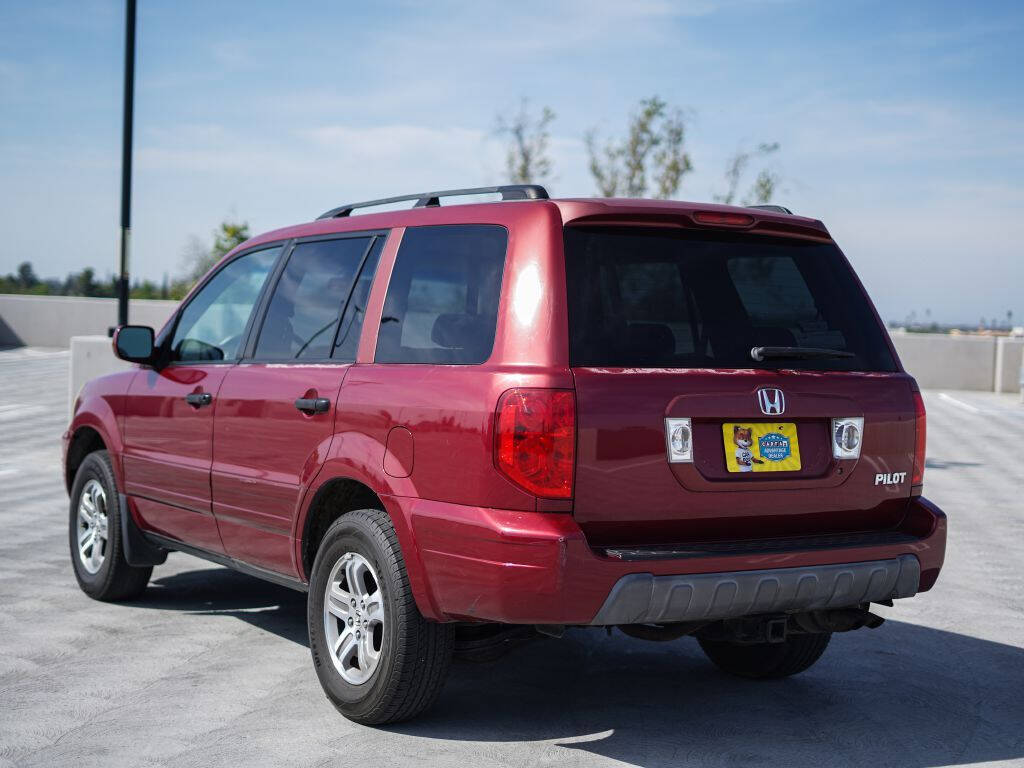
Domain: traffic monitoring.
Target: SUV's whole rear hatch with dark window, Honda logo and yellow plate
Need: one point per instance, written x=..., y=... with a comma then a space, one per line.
x=663, y=322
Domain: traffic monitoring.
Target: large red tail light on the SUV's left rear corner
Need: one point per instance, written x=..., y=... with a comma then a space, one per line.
x=535, y=441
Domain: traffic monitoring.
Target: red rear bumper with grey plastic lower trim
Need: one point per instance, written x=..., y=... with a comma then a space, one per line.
x=530, y=568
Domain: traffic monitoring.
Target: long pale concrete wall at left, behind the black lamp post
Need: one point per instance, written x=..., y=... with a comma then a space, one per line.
x=52, y=321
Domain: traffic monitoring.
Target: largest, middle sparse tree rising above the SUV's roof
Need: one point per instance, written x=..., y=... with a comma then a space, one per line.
x=652, y=156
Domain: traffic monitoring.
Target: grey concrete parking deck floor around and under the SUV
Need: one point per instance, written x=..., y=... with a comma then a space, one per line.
x=211, y=668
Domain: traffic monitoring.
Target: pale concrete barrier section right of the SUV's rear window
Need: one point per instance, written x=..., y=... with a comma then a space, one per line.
x=949, y=362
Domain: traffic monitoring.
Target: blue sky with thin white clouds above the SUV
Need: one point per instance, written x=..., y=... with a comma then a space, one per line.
x=901, y=124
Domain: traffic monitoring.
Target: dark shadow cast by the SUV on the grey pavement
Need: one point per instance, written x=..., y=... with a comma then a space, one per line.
x=903, y=695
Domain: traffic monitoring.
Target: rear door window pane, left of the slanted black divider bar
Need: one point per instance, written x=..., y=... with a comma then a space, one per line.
x=303, y=316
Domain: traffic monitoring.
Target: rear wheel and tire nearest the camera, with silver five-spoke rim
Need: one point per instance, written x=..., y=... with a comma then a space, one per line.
x=378, y=660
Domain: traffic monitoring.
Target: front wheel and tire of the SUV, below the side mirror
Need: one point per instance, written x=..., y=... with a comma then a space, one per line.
x=95, y=535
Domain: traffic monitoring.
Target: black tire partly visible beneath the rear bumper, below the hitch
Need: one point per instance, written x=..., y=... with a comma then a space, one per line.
x=767, y=661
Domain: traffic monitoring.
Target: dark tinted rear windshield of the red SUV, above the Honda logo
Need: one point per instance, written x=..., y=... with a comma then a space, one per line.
x=658, y=298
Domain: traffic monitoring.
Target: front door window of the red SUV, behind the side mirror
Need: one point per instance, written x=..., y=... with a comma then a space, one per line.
x=212, y=325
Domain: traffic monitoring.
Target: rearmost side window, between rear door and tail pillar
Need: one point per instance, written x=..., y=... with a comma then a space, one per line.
x=442, y=305
